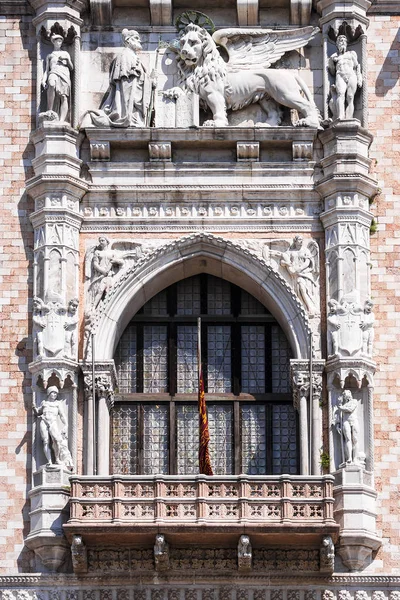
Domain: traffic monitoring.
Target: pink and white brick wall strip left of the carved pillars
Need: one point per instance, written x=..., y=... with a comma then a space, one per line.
x=17, y=49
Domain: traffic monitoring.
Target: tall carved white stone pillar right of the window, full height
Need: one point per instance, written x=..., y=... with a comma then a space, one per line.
x=347, y=189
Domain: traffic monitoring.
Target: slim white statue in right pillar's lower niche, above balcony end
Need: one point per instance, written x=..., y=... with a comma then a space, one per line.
x=347, y=426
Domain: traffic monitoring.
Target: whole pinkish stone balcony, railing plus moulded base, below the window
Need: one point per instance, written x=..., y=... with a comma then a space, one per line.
x=272, y=509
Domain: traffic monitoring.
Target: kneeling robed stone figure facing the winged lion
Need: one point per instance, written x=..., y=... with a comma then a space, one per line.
x=129, y=97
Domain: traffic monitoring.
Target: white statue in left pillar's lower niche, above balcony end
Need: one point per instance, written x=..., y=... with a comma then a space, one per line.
x=54, y=436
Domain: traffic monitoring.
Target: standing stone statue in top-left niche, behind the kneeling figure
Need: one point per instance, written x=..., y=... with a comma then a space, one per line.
x=57, y=78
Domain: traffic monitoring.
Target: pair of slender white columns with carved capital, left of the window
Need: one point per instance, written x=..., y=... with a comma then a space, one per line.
x=97, y=415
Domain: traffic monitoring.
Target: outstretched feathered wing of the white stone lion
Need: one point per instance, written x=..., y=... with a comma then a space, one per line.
x=249, y=49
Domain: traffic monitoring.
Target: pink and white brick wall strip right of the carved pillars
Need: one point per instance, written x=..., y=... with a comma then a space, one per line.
x=384, y=123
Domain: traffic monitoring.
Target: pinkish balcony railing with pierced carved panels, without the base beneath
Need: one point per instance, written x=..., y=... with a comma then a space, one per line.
x=197, y=499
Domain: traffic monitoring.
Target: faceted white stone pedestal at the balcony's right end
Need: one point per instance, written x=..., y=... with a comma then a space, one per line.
x=355, y=511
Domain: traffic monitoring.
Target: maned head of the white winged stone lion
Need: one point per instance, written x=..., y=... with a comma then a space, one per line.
x=198, y=57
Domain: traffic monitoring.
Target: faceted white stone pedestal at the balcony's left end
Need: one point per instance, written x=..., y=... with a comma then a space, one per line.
x=49, y=511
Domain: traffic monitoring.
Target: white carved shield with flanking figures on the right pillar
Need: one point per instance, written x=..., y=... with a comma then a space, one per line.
x=350, y=327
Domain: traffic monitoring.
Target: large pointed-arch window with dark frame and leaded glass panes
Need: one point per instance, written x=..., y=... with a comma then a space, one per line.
x=245, y=355
